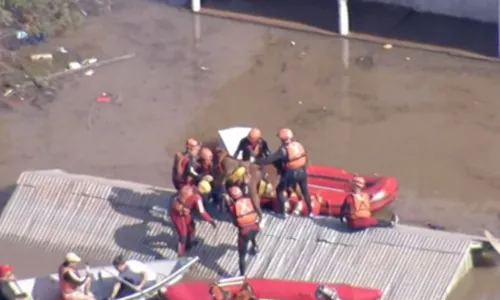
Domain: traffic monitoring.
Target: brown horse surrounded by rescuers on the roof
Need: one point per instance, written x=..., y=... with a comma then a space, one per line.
x=225, y=165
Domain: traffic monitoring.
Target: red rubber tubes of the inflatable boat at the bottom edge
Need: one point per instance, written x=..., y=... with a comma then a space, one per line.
x=269, y=289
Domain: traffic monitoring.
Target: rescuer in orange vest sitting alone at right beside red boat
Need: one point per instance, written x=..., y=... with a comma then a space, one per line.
x=356, y=209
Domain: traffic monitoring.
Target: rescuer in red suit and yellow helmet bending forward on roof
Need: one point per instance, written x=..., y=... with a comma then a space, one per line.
x=189, y=198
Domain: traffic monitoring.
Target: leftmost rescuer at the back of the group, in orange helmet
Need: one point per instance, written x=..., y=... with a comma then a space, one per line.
x=185, y=164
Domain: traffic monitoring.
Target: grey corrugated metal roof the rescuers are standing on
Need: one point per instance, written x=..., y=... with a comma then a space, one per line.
x=100, y=217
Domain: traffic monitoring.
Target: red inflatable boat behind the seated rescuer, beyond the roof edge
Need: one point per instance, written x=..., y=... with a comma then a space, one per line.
x=334, y=184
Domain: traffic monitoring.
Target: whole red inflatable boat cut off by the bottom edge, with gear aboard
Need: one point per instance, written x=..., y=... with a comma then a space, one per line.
x=270, y=289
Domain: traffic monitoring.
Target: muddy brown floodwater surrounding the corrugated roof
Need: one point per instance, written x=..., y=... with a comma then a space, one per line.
x=430, y=120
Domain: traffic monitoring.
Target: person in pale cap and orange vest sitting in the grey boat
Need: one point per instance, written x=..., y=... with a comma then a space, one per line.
x=73, y=286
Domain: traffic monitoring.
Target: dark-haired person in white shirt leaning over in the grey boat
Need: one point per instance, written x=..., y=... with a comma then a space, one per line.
x=132, y=278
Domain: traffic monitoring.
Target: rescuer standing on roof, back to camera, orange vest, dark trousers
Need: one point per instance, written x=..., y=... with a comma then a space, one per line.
x=245, y=218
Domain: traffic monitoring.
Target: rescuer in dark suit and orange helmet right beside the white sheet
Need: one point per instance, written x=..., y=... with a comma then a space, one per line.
x=252, y=146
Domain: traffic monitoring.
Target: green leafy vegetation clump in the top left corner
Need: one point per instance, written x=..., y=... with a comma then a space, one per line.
x=35, y=16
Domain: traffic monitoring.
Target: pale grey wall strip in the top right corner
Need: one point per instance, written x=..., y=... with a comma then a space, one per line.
x=480, y=10
